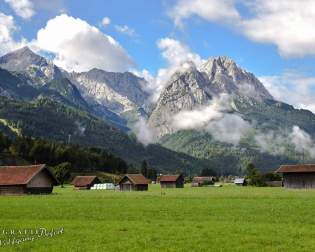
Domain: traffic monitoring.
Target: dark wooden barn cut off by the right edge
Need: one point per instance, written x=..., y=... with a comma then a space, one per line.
x=298, y=176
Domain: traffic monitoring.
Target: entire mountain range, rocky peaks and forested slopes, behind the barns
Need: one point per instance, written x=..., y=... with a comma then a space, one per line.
x=95, y=108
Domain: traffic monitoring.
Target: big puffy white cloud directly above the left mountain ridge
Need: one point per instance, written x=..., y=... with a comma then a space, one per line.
x=79, y=46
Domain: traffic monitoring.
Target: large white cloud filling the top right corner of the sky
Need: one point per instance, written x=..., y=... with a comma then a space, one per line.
x=290, y=25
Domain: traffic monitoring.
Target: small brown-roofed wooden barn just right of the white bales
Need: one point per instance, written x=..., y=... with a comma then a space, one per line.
x=133, y=182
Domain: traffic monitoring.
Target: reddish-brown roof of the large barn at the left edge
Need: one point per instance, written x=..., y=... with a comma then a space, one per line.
x=21, y=175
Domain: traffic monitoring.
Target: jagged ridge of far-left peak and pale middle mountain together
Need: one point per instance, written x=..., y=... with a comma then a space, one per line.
x=122, y=91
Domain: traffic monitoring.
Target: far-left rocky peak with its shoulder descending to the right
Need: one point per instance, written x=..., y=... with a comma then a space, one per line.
x=42, y=78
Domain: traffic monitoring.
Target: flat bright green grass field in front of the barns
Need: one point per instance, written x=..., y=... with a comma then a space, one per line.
x=191, y=219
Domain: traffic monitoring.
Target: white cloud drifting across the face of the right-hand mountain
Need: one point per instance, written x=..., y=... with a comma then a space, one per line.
x=215, y=119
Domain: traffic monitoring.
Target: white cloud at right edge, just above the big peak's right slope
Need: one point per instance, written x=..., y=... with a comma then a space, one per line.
x=292, y=88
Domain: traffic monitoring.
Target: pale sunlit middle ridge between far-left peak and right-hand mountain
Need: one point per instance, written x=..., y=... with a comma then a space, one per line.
x=122, y=93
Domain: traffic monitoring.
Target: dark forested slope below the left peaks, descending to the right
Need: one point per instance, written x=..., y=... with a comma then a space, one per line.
x=44, y=118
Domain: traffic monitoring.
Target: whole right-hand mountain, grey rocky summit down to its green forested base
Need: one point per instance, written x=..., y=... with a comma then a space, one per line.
x=193, y=89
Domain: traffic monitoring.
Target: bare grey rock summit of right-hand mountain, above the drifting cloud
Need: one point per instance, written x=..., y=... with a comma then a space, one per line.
x=193, y=88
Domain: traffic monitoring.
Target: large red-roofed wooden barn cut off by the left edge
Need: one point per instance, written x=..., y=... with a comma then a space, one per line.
x=31, y=179
